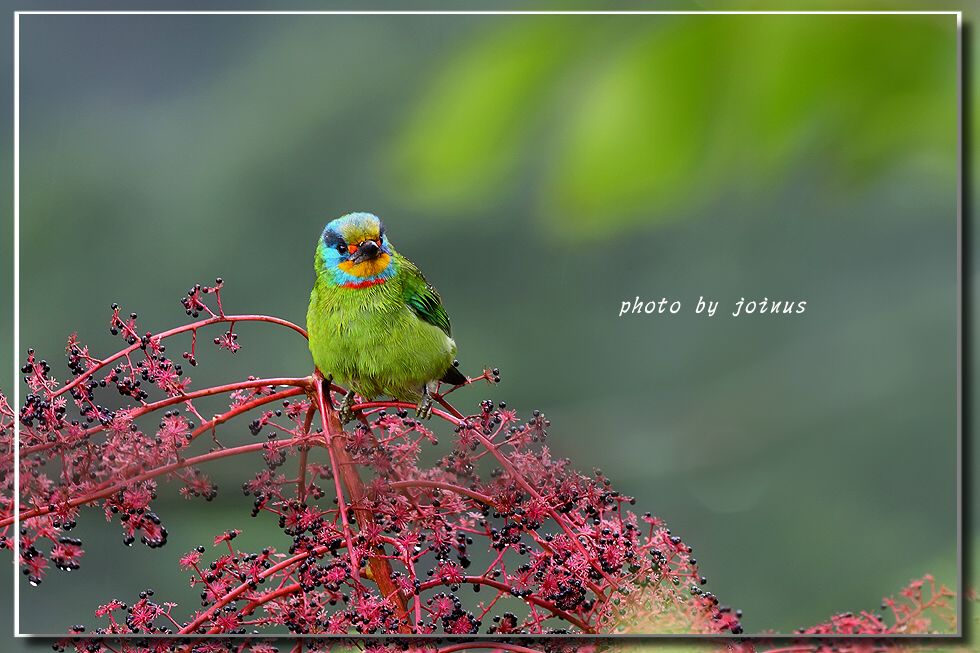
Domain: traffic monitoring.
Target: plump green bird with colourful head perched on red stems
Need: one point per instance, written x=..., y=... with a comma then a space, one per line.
x=375, y=324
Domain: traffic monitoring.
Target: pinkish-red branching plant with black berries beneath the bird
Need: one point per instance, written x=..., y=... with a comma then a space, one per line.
x=375, y=541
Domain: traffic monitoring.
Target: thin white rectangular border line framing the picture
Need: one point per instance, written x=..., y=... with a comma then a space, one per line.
x=959, y=274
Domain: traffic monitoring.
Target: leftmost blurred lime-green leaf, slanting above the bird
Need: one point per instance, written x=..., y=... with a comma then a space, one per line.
x=469, y=128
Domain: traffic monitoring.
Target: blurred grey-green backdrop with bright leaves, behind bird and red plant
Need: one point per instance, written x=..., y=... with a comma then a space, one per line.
x=541, y=170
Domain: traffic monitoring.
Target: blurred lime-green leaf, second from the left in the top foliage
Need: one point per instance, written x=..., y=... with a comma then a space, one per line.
x=639, y=135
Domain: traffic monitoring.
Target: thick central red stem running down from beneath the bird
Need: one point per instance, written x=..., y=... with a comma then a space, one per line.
x=345, y=474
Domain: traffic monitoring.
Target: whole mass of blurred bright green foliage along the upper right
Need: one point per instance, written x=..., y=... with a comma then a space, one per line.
x=679, y=110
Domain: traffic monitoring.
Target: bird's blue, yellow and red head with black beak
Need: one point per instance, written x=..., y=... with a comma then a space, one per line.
x=355, y=251
